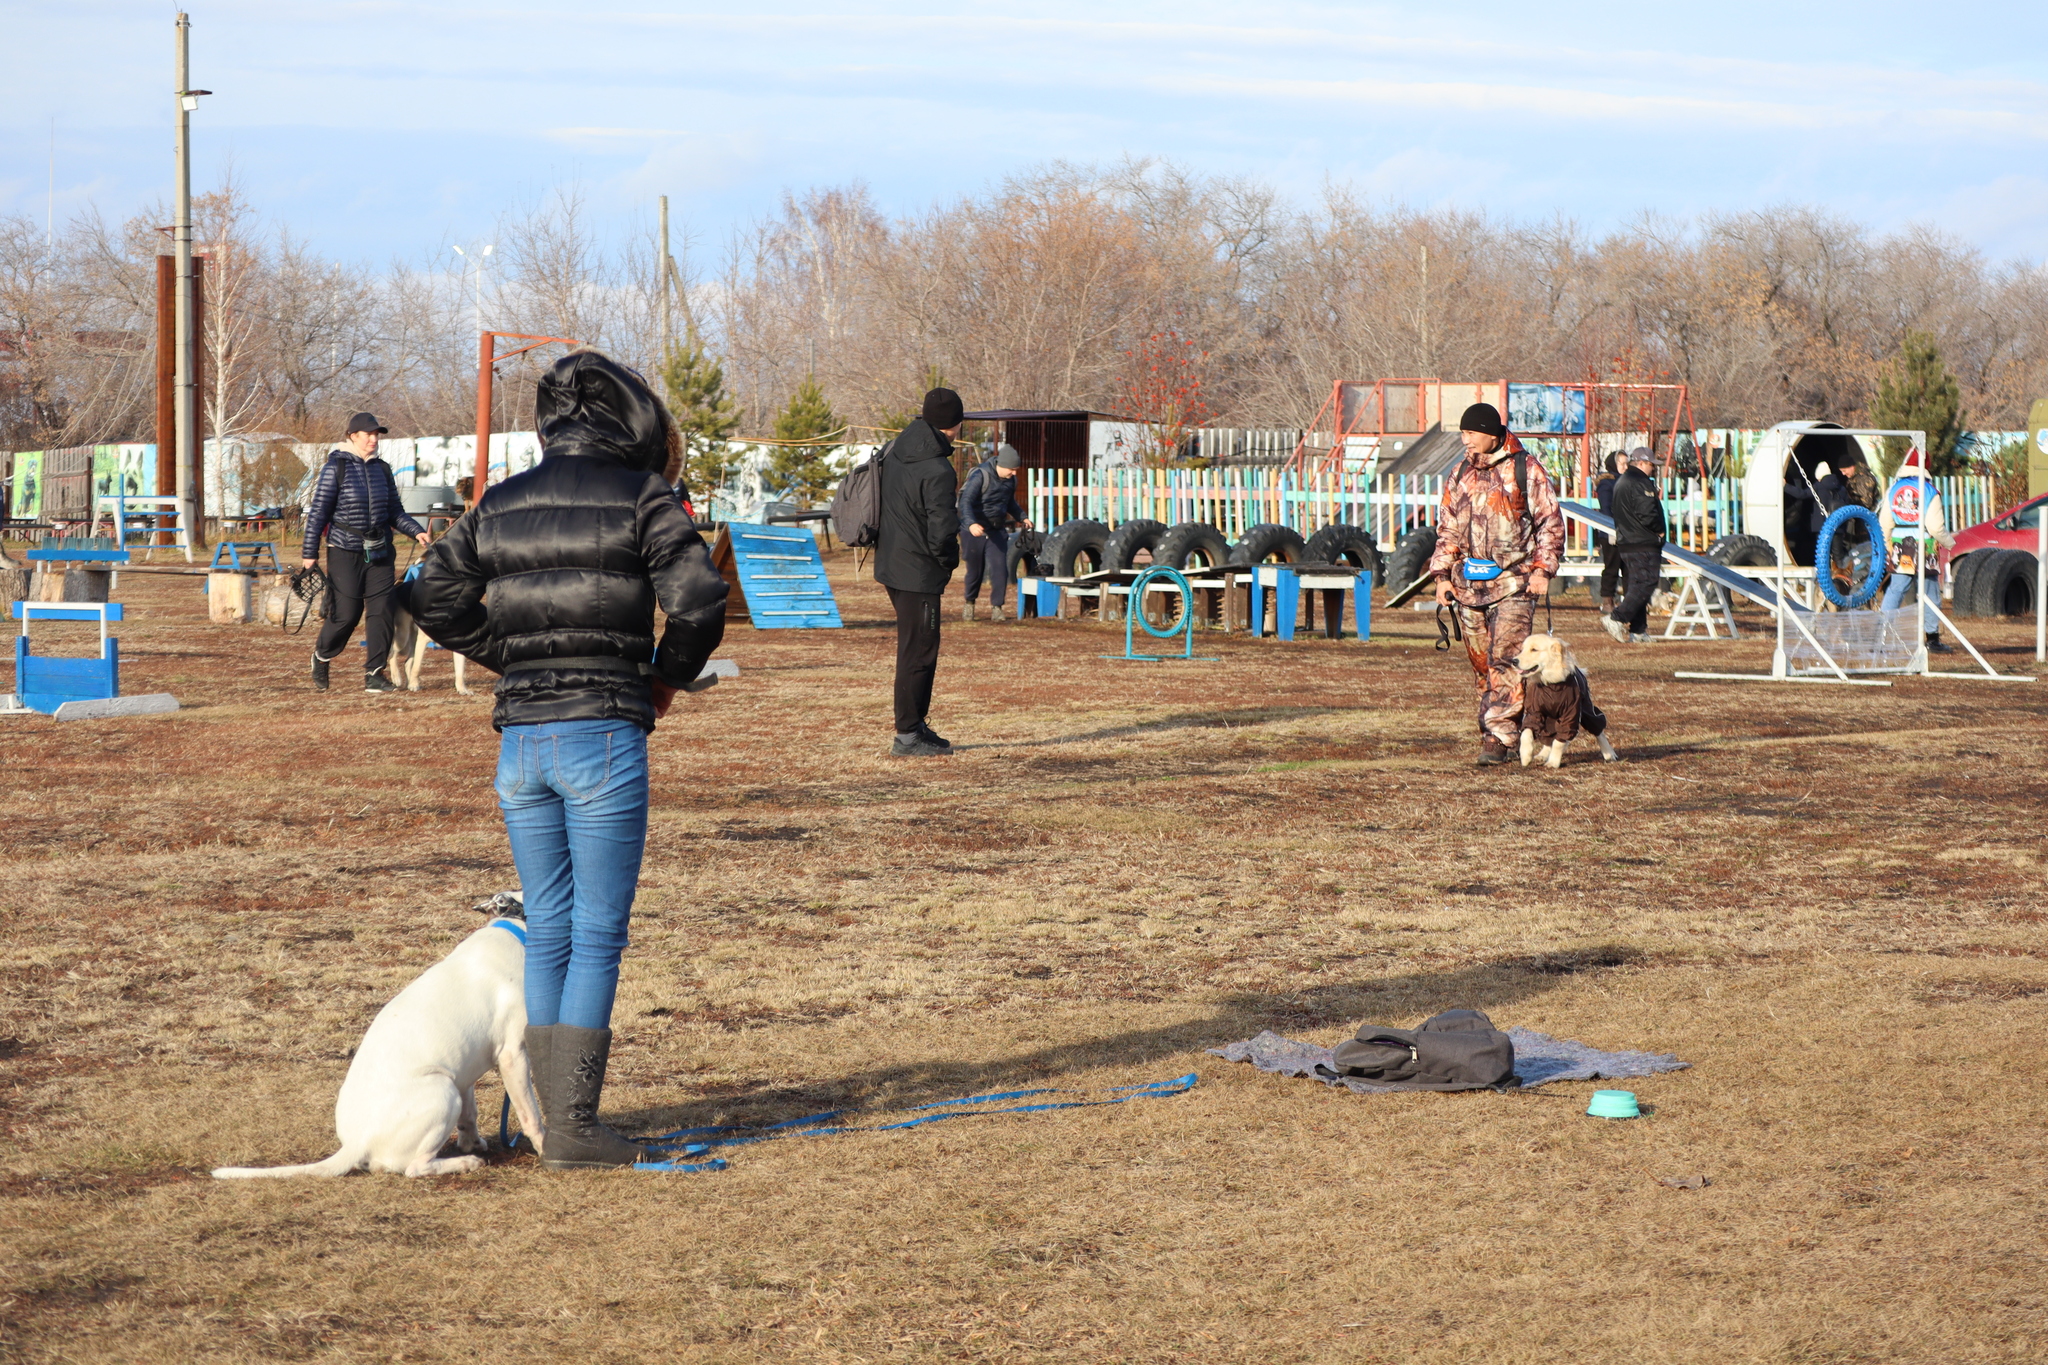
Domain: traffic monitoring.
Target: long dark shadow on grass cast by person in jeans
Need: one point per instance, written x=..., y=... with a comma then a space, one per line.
x=1152, y=1055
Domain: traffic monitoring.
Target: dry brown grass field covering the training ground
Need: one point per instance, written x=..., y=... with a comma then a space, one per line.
x=1826, y=899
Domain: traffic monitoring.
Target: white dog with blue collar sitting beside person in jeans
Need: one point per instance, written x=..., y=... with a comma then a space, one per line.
x=413, y=1082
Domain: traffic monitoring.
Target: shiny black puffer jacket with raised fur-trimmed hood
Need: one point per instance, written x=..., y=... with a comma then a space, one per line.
x=568, y=562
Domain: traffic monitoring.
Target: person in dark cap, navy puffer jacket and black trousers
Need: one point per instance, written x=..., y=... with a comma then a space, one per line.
x=355, y=507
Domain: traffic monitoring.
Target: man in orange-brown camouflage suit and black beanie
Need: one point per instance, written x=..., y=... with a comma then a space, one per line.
x=1488, y=517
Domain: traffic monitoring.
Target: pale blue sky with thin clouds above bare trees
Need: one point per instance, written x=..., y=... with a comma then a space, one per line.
x=386, y=130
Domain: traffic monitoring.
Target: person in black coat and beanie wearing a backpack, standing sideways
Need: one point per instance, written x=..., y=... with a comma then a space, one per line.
x=916, y=549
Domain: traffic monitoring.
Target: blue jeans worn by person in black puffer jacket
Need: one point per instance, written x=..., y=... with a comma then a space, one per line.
x=574, y=797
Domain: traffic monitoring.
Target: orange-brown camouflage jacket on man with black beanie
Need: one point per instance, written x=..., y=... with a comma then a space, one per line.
x=1482, y=519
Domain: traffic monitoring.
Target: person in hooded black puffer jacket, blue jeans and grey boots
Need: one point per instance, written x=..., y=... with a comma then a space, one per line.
x=574, y=556
